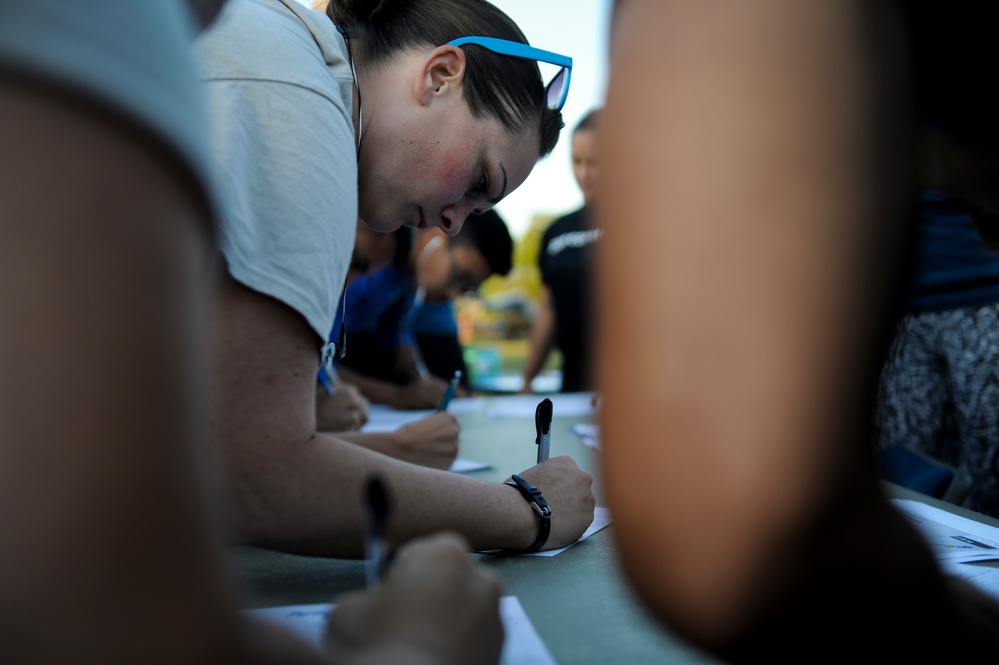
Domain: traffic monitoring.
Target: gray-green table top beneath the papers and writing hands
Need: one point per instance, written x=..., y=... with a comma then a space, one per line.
x=578, y=600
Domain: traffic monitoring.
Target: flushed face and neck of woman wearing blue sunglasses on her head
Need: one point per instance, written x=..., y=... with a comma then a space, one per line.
x=433, y=164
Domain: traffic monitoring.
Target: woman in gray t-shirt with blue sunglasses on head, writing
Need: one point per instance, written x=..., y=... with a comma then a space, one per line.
x=398, y=113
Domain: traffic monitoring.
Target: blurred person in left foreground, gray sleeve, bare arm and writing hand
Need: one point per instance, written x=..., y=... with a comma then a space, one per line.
x=107, y=500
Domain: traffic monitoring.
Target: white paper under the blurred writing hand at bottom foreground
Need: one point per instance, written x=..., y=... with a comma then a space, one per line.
x=521, y=646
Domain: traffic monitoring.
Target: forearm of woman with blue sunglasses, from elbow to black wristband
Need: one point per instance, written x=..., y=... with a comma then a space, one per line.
x=306, y=498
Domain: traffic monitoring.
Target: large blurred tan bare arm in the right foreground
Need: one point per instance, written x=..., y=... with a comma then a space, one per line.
x=772, y=410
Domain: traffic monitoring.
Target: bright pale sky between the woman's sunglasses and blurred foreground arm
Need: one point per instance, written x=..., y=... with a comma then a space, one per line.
x=578, y=29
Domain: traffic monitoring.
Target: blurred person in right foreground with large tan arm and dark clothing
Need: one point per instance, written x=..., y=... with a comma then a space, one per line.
x=758, y=177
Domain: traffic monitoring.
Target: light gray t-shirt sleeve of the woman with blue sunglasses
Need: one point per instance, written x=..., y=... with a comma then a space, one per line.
x=279, y=93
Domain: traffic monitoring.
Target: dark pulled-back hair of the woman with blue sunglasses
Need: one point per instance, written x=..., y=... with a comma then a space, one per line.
x=507, y=88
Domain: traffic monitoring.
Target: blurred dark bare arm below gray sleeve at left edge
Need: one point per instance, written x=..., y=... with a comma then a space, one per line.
x=103, y=509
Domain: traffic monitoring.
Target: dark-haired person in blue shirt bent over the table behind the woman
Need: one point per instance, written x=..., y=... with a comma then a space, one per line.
x=389, y=309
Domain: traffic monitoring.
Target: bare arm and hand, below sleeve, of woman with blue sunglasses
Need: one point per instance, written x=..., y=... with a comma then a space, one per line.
x=294, y=488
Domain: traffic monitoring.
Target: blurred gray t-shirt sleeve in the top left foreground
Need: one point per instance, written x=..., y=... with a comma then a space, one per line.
x=129, y=59
